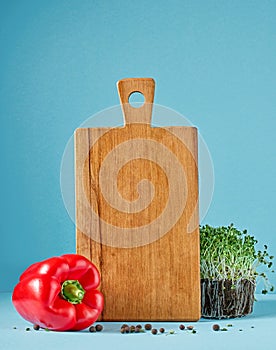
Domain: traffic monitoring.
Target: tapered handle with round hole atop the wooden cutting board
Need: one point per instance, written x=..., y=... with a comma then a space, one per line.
x=128, y=86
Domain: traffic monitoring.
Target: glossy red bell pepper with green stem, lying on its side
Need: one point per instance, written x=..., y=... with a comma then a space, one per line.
x=60, y=293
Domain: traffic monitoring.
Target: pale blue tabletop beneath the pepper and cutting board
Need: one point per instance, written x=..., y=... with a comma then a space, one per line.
x=241, y=335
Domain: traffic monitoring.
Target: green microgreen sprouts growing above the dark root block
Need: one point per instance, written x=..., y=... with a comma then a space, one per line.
x=229, y=254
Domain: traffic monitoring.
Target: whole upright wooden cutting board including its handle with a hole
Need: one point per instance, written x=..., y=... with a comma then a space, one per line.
x=137, y=213
